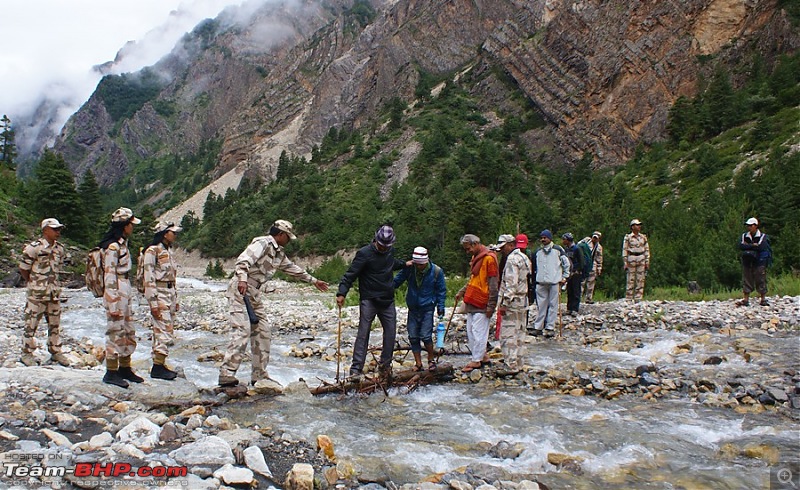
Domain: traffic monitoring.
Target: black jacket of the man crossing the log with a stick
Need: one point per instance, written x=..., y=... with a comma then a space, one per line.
x=374, y=271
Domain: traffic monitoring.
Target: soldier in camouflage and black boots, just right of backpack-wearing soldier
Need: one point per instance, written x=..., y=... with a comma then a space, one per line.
x=160, y=273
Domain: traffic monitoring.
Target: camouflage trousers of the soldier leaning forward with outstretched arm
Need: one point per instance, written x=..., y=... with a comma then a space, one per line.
x=242, y=333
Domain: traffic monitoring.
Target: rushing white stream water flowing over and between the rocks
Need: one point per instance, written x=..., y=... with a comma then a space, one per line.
x=623, y=443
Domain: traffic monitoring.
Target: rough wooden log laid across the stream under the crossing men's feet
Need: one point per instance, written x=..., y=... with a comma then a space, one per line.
x=370, y=383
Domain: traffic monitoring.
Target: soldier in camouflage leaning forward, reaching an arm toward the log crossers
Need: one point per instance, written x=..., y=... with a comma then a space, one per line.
x=254, y=267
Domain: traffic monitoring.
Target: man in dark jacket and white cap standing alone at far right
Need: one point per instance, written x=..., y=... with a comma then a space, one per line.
x=756, y=256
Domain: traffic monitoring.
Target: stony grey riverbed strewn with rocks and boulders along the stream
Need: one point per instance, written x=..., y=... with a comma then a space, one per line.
x=705, y=357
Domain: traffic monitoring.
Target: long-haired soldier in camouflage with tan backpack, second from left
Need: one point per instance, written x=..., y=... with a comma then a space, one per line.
x=117, y=297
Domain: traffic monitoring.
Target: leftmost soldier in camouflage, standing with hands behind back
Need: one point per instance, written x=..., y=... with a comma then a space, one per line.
x=42, y=261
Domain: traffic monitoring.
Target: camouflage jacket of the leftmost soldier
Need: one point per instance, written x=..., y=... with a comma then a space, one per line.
x=45, y=262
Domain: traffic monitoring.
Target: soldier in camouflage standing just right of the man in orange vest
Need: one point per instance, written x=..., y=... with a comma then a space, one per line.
x=512, y=303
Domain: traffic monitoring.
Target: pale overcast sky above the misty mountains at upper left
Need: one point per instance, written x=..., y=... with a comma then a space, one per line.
x=50, y=46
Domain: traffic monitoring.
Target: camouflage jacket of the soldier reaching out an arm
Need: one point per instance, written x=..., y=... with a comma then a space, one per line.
x=262, y=258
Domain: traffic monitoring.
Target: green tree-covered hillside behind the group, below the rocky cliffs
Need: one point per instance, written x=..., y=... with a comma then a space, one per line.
x=449, y=166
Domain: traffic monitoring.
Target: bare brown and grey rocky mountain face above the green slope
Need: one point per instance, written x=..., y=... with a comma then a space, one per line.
x=602, y=73
